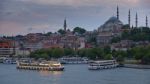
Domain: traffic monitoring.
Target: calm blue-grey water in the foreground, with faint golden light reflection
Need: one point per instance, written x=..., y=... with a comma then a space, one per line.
x=74, y=74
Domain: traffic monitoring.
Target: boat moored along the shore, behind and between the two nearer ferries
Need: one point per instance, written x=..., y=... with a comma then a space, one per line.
x=73, y=60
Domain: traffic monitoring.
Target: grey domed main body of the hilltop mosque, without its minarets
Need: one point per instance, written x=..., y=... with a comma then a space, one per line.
x=109, y=29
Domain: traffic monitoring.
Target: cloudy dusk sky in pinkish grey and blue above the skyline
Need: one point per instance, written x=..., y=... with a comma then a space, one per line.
x=42, y=16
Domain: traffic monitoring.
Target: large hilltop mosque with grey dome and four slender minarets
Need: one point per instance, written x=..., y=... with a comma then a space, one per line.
x=113, y=28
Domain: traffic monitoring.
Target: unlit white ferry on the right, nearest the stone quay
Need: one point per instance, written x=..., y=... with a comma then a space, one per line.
x=103, y=64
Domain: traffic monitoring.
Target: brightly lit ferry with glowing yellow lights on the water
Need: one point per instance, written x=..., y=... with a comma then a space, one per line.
x=45, y=65
